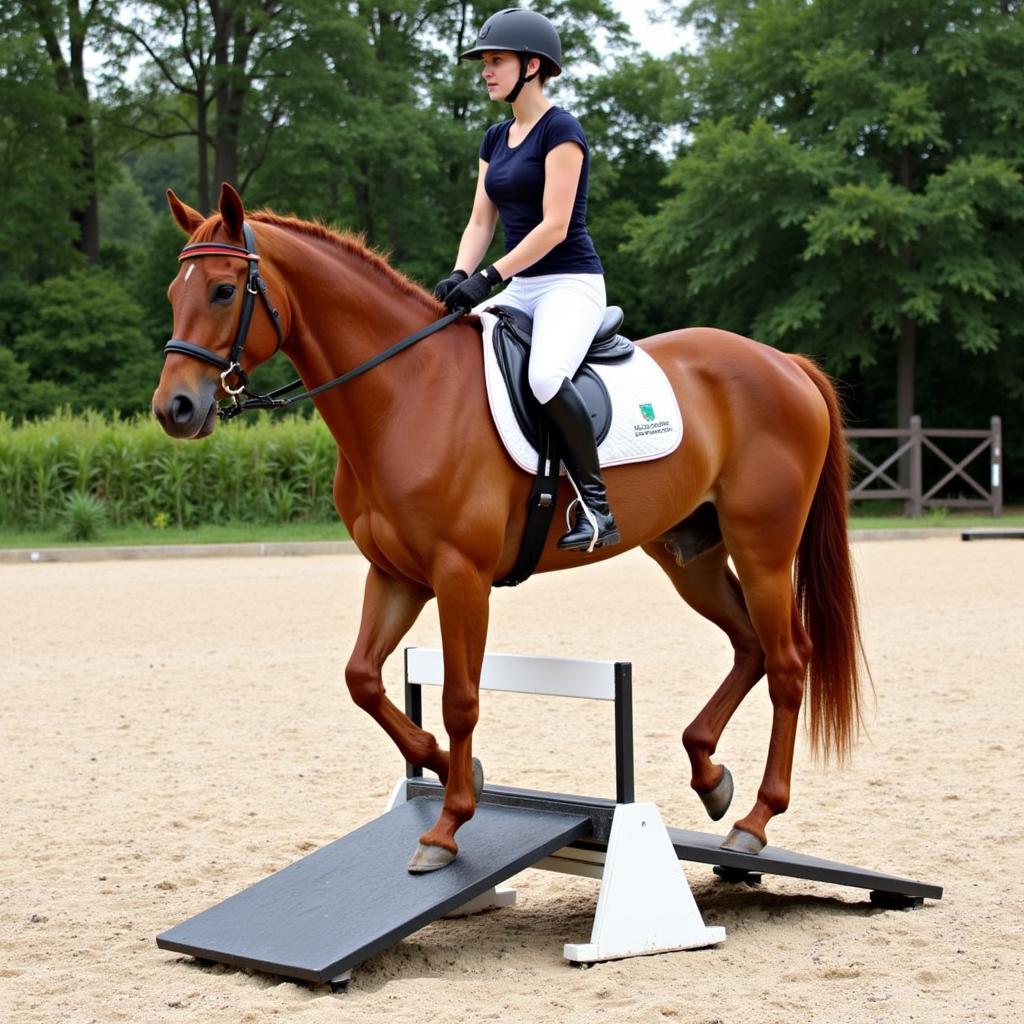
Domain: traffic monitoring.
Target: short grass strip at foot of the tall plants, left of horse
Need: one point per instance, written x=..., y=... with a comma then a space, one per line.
x=140, y=534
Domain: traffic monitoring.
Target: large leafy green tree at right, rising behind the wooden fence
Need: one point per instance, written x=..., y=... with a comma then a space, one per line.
x=854, y=185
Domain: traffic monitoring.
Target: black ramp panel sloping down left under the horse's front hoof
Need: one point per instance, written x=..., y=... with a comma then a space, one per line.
x=337, y=908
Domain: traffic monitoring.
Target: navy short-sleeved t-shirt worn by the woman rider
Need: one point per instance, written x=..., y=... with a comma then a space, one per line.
x=515, y=183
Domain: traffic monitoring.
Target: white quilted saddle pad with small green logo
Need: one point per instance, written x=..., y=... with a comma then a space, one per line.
x=647, y=422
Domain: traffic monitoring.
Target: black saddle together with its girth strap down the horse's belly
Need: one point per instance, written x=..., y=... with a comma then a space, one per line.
x=511, y=339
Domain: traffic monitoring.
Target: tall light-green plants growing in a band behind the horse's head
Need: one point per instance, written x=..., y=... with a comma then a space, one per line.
x=278, y=471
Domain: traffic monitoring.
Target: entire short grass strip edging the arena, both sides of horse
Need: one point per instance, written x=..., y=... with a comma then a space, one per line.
x=246, y=533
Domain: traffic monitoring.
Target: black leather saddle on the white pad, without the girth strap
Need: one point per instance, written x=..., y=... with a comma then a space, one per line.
x=513, y=338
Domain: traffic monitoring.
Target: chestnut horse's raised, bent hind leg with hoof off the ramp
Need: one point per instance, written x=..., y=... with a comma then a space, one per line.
x=708, y=586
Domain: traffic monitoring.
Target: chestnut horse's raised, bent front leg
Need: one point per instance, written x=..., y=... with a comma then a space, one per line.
x=390, y=609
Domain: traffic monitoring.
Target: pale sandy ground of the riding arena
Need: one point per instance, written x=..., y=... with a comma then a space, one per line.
x=174, y=732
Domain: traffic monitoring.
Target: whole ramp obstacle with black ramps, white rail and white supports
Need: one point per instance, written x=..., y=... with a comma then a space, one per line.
x=318, y=919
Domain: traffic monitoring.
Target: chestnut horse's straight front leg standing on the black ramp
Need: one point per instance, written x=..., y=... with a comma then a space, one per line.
x=463, y=593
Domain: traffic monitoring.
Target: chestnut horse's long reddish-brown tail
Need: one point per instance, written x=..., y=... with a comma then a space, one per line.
x=826, y=594
